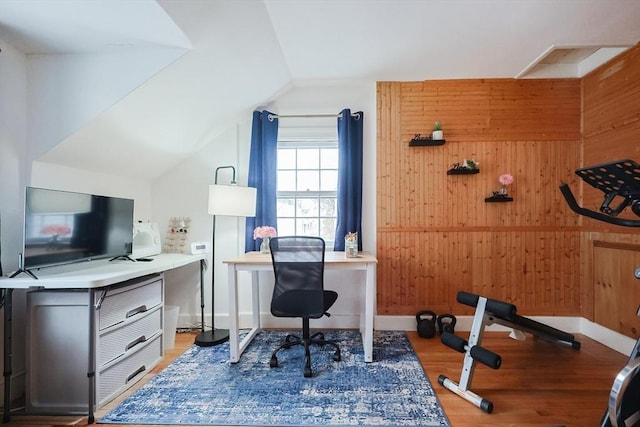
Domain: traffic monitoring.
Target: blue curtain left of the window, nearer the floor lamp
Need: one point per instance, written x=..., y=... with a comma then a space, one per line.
x=263, y=174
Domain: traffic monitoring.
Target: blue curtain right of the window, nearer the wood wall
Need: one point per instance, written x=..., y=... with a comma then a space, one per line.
x=349, y=209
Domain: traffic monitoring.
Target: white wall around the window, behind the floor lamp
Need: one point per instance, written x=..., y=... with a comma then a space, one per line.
x=183, y=192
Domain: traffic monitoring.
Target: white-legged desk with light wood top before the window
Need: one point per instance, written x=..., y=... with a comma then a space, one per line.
x=255, y=262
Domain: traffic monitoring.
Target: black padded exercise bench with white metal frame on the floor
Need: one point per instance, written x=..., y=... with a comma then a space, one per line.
x=490, y=311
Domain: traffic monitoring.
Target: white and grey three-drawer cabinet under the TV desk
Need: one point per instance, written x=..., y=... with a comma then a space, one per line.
x=128, y=324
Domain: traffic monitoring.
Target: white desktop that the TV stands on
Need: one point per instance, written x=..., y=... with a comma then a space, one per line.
x=99, y=273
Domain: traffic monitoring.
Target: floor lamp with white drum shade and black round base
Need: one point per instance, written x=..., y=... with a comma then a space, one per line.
x=226, y=200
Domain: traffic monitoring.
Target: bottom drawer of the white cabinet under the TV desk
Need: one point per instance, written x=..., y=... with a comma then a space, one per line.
x=122, y=373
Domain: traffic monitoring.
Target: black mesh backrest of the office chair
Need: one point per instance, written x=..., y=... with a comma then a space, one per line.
x=298, y=265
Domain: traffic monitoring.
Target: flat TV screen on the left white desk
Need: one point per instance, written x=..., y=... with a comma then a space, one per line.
x=62, y=227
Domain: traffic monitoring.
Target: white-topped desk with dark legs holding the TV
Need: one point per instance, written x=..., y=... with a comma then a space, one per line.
x=91, y=276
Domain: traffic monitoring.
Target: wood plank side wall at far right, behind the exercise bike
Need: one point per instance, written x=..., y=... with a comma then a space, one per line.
x=611, y=128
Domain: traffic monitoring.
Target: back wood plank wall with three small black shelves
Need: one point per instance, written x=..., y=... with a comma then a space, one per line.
x=435, y=233
